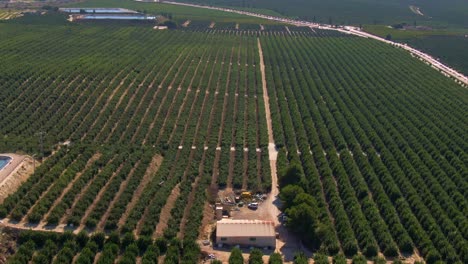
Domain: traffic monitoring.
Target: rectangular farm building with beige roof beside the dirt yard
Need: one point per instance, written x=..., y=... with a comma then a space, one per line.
x=247, y=233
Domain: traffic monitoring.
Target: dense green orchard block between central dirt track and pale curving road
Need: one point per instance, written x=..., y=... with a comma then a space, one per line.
x=377, y=138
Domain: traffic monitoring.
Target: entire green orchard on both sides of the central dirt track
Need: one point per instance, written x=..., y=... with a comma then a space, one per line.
x=141, y=128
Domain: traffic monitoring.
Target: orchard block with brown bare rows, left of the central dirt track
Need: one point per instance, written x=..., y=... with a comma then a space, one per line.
x=182, y=96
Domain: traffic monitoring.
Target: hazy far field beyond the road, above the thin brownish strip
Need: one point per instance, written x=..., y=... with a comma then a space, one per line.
x=448, y=13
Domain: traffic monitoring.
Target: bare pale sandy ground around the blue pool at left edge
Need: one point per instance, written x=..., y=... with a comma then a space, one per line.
x=15, y=173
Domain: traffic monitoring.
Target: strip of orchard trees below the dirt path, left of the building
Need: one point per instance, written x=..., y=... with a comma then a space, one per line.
x=49, y=247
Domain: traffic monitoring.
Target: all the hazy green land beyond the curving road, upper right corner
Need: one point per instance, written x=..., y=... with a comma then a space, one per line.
x=439, y=28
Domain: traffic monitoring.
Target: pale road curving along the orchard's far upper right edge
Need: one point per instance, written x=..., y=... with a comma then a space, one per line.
x=446, y=70
